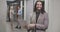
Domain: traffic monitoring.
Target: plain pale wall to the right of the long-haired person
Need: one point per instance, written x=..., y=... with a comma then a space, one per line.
x=54, y=17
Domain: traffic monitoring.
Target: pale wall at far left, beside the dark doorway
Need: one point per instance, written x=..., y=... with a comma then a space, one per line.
x=3, y=10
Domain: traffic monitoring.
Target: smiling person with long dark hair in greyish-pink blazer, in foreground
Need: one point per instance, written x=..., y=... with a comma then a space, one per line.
x=39, y=18
